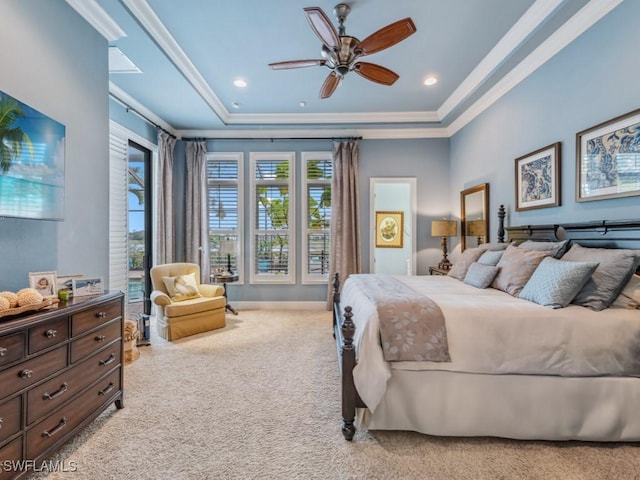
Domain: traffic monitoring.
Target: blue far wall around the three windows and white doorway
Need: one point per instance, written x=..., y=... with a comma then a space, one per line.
x=427, y=160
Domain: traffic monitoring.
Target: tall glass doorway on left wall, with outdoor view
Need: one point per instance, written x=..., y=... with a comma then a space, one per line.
x=139, y=231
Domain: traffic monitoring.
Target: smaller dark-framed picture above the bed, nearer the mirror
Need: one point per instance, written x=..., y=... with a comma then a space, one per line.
x=538, y=178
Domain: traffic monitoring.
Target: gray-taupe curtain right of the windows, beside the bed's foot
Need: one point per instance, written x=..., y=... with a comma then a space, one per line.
x=345, y=217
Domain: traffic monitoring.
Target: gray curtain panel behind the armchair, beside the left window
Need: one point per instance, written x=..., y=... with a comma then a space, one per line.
x=196, y=217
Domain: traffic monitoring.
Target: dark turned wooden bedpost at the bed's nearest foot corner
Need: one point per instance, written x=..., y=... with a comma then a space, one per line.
x=348, y=387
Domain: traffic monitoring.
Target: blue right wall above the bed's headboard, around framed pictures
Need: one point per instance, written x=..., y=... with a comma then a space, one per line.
x=592, y=80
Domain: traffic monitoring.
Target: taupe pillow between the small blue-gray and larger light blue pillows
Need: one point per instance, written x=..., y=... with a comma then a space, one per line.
x=516, y=267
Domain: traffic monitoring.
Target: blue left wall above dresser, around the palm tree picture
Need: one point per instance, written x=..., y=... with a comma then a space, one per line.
x=53, y=61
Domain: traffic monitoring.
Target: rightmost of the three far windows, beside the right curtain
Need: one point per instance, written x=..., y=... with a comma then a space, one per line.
x=316, y=210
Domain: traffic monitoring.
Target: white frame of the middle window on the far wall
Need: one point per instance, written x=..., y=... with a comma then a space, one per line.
x=272, y=278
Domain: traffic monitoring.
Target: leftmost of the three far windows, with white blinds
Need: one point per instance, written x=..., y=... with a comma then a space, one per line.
x=224, y=171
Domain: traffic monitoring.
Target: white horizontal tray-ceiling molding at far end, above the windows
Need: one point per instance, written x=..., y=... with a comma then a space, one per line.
x=324, y=118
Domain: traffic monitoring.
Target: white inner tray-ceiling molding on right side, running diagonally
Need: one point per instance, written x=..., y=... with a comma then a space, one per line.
x=535, y=16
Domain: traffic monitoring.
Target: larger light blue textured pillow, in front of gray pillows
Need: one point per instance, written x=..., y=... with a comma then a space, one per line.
x=556, y=282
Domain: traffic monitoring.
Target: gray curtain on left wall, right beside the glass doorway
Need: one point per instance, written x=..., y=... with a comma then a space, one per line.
x=165, y=222
